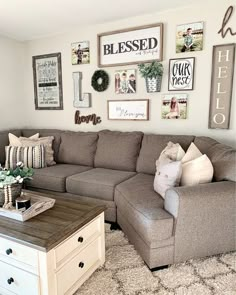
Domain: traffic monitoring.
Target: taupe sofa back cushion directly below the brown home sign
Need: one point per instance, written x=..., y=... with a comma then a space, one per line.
x=78, y=148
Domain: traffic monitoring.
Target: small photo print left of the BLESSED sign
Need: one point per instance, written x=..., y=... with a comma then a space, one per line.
x=80, y=53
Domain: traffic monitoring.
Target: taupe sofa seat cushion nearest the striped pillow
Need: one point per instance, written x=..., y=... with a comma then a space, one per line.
x=54, y=177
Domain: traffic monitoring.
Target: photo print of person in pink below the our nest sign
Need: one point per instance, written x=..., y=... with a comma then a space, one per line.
x=174, y=106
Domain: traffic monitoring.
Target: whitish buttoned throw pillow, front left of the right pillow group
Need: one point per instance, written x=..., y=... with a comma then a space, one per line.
x=168, y=175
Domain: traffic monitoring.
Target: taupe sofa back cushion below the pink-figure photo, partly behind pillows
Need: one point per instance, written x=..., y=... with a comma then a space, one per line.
x=153, y=145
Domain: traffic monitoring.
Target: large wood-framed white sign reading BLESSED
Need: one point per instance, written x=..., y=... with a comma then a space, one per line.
x=130, y=46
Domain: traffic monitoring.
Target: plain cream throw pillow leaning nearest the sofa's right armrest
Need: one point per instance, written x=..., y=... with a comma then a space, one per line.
x=197, y=171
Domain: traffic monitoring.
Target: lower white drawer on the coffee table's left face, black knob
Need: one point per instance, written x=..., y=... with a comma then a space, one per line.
x=18, y=281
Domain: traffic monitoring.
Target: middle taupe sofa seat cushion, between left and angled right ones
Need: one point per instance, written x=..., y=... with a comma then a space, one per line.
x=98, y=182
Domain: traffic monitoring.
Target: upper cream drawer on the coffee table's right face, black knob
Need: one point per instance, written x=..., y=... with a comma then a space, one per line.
x=79, y=240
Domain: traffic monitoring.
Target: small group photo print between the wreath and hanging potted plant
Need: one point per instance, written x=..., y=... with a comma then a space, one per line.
x=125, y=81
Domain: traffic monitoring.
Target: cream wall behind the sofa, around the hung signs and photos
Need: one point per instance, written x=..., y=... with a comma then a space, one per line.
x=197, y=122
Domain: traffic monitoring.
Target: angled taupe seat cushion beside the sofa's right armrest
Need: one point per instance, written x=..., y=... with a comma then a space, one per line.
x=144, y=209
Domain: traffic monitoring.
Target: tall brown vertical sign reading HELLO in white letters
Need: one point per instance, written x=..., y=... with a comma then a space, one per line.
x=221, y=86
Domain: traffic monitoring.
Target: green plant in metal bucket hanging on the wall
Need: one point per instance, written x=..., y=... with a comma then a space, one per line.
x=152, y=72
